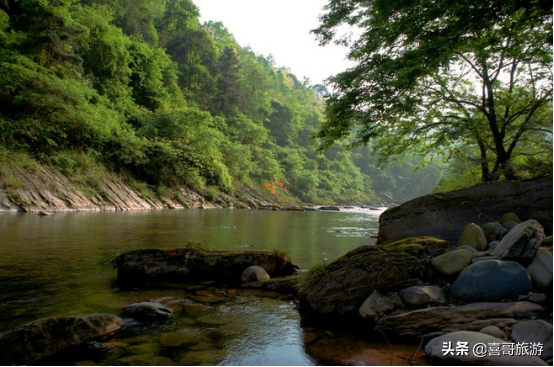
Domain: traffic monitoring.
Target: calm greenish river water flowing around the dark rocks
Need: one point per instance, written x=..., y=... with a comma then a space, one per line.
x=60, y=265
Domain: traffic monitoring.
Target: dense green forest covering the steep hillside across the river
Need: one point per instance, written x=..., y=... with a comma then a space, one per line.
x=143, y=90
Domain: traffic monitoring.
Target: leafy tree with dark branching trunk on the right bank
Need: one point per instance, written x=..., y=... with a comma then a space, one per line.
x=437, y=76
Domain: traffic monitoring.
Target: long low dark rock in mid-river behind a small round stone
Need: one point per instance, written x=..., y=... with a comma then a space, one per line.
x=192, y=263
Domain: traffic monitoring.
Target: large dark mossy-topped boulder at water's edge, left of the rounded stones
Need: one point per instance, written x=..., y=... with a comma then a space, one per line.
x=343, y=285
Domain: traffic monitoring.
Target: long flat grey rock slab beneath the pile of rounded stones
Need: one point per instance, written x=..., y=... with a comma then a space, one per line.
x=430, y=322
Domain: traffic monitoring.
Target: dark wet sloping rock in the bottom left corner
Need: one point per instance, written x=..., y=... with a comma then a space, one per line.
x=43, y=338
